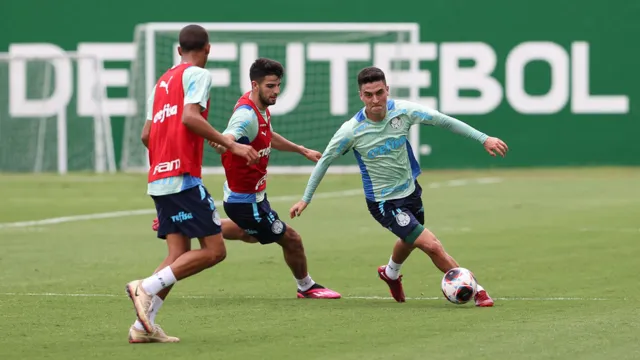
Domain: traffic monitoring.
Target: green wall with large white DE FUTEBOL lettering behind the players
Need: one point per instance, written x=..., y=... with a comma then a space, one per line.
x=548, y=77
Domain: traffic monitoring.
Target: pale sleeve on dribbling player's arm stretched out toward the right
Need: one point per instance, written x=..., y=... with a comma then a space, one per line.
x=420, y=114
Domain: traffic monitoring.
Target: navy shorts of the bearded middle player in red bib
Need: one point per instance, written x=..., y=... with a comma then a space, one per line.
x=257, y=220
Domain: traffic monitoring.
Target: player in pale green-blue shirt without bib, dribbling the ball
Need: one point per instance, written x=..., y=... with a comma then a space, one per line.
x=377, y=134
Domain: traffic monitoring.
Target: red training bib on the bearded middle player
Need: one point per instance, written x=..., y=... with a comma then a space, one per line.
x=243, y=178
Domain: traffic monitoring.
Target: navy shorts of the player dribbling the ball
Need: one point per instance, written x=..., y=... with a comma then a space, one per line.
x=400, y=216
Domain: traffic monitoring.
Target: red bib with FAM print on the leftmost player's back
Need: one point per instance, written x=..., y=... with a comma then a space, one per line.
x=173, y=149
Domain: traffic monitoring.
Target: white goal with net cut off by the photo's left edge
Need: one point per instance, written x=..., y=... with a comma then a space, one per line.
x=41, y=129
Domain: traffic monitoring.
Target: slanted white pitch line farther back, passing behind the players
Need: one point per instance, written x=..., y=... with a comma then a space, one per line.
x=126, y=213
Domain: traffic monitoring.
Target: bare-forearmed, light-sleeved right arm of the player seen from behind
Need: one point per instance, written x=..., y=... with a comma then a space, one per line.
x=195, y=101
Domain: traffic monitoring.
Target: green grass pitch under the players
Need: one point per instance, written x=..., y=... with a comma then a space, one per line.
x=556, y=248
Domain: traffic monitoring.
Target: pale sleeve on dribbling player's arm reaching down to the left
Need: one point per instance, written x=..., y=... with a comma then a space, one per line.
x=340, y=144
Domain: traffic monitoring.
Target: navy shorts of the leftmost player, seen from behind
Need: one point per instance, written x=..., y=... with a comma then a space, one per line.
x=190, y=212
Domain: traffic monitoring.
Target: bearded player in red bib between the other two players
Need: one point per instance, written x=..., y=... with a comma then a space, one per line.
x=245, y=198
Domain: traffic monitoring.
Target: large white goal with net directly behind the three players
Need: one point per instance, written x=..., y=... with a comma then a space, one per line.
x=319, y=88
